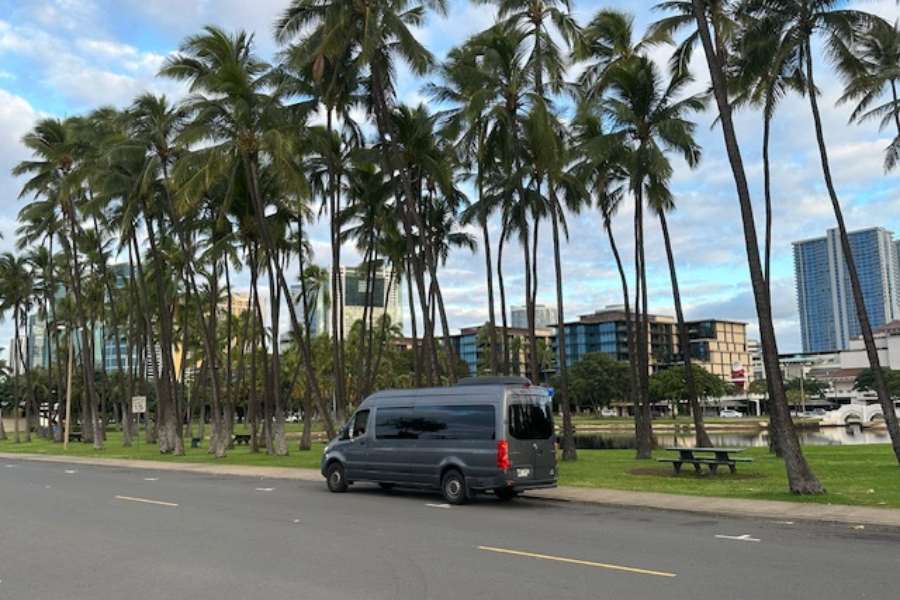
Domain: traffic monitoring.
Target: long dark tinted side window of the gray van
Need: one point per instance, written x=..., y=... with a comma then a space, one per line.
x=436, y=423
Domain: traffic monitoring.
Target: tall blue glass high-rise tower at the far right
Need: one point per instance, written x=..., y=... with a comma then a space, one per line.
x=827, y=312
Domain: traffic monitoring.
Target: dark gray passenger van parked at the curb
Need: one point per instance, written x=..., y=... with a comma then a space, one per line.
x=483, y=434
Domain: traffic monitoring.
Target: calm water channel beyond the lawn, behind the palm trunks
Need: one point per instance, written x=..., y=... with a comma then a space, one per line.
x=737, y=439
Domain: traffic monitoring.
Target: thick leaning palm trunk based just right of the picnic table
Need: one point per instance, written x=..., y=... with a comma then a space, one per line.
x=801, y=479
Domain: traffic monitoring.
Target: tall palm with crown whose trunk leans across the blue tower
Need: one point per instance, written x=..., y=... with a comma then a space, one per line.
x=800, y=21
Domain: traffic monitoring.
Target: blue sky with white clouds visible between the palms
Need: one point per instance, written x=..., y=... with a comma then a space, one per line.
x=64, y=57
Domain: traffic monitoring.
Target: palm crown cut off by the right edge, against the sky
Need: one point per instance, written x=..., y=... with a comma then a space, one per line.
x=871, y=70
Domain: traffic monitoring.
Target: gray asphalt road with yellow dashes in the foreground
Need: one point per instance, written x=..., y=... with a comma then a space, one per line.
x=99, y=533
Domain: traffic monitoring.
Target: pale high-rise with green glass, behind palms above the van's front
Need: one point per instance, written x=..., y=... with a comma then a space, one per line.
x=384, y=295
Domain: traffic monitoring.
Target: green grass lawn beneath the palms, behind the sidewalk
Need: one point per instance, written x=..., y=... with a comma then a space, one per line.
x=864, y=475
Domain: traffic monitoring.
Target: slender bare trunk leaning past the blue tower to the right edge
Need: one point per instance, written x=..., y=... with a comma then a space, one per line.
x=884, y=396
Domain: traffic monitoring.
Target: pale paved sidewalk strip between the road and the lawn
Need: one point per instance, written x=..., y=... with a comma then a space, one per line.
x=764, y=509
